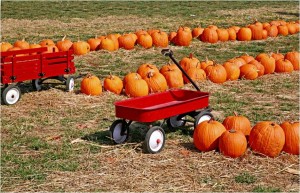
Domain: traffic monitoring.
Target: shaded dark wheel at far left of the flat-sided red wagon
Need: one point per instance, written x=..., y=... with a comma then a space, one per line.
x=119, y=131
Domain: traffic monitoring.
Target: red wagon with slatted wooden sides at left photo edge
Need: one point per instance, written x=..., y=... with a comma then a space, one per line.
x=35, y=65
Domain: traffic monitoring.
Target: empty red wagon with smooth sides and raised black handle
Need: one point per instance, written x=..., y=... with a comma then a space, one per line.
x=173, y=106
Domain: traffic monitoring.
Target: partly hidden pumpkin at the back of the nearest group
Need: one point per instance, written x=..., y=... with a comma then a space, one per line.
x=238, y=123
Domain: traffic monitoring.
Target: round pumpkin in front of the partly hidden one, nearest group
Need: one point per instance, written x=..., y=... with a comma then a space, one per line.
x=233, y=143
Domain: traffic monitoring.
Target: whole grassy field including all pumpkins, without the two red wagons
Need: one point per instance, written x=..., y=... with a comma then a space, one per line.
x=244, y=54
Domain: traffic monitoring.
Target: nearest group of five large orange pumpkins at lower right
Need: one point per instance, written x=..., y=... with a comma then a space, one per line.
x=233, y=136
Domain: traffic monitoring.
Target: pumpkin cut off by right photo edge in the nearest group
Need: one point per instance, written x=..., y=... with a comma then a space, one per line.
x=292, y=137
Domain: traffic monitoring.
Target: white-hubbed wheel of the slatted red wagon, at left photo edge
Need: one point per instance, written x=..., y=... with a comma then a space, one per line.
x=11, y=94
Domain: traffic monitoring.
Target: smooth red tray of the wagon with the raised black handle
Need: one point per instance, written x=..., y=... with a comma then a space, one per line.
x=161, y=105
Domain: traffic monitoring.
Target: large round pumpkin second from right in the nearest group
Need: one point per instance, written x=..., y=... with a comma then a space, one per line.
x=267, y=138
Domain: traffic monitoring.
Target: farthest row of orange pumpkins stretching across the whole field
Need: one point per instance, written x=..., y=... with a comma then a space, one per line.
x=154, y=37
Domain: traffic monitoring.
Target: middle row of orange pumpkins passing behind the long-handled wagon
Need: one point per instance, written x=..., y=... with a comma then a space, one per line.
x=149, y=79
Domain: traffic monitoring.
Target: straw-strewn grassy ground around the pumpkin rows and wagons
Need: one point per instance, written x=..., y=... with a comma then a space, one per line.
x=57, y=141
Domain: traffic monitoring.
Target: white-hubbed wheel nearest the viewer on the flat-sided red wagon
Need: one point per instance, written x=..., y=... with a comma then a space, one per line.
x=155, y=140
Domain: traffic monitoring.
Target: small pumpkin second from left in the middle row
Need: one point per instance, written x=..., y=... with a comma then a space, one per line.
x=113, y=84
